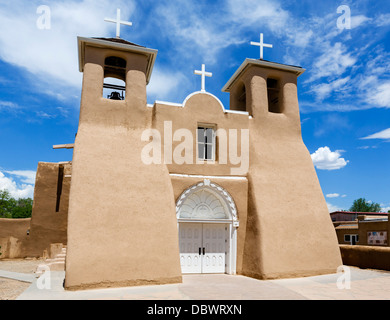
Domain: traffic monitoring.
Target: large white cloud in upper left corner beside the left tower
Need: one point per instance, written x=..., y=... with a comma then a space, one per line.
x=52, y=54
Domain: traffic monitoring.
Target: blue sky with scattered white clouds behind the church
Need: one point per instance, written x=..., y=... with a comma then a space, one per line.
x=344, y=94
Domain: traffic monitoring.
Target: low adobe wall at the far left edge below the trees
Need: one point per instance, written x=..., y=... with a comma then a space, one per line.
x=13, y=237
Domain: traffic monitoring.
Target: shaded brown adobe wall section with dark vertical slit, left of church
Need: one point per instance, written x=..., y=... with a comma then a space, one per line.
x=47, y=224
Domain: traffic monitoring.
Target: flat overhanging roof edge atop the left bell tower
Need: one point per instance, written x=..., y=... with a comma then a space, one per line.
x=116, y=44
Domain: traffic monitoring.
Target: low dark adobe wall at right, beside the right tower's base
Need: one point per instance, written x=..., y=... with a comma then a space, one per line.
x=366, y=256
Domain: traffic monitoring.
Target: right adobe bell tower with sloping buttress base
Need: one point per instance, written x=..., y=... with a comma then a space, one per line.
x=289, y=230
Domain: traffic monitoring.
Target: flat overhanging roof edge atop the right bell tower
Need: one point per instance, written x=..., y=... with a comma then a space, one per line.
x=265, y=64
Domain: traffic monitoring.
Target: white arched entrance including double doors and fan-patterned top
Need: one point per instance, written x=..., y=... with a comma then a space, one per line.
x=207, y=223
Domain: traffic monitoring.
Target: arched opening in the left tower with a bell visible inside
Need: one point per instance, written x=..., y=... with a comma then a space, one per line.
x=114, y=86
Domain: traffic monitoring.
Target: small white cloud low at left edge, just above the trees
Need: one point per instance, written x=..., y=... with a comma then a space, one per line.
x=25, y=190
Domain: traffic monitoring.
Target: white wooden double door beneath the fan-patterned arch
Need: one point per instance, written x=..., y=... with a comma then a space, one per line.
x=202, y=247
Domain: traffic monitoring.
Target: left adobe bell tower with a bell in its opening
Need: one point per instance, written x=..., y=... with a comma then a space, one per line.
x=121, y=211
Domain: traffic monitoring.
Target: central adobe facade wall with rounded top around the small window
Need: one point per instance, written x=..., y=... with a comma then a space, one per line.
x=201, y=108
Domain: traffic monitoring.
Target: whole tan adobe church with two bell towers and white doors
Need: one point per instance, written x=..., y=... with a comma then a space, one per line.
x=133, y=222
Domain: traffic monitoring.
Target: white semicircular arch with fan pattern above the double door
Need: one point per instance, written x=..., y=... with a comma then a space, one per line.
x=225, y=201
